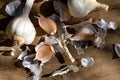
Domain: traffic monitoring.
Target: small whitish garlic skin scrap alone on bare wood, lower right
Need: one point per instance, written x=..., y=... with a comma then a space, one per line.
x=86, y=62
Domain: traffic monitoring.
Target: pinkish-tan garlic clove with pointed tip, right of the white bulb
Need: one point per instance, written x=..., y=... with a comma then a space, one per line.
x=48, y=25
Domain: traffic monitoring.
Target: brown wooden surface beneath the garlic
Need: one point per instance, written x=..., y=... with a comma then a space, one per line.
x=105, y=68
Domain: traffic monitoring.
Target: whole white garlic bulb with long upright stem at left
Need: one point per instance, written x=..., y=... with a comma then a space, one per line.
x=21, y=26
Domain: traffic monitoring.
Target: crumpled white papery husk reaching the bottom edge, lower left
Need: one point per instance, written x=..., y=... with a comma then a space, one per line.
x=34, y=67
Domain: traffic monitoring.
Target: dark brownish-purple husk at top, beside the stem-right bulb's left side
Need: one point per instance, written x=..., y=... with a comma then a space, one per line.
x=62, y=10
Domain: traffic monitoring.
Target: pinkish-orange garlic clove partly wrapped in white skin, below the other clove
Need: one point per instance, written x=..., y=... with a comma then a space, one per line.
x=44, y=52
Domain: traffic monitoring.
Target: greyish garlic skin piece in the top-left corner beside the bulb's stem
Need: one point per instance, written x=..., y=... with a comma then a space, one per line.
x=12, y=7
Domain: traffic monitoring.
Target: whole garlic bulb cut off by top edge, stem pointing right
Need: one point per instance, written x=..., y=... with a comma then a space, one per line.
x=81, y=8
